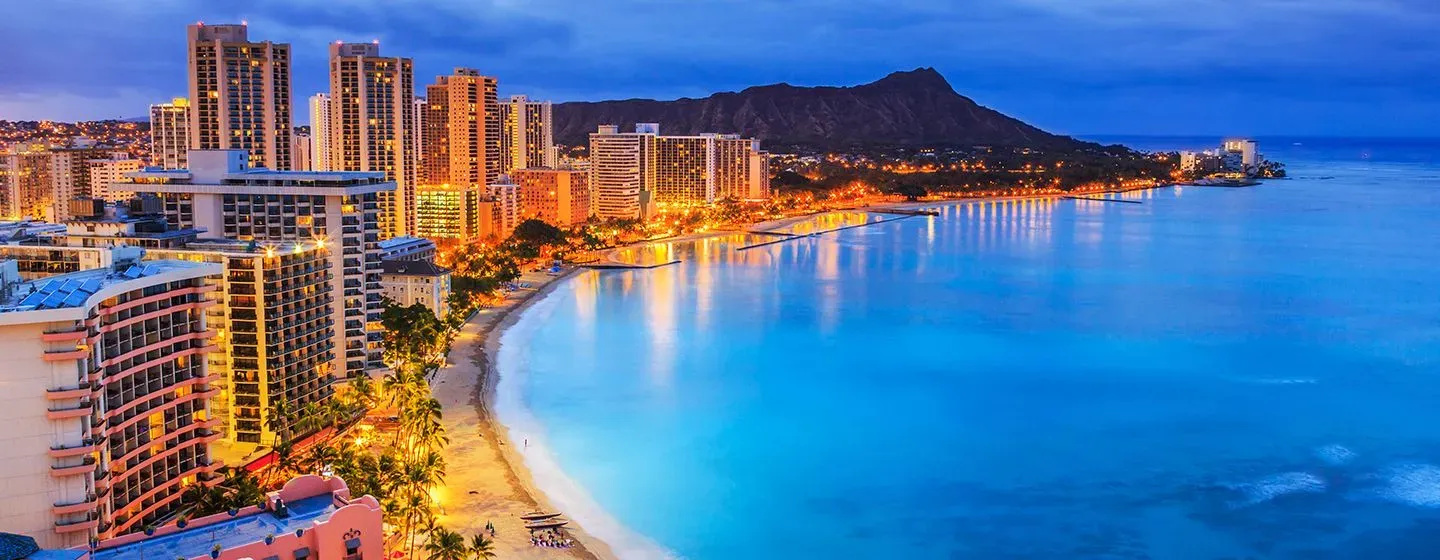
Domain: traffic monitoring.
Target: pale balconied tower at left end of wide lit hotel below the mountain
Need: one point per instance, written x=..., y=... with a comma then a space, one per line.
x=618, y=172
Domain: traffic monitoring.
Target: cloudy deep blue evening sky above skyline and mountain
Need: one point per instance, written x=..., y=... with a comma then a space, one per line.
x=1072, y=67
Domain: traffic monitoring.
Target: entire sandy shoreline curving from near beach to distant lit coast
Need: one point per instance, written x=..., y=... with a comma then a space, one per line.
x=476, y=428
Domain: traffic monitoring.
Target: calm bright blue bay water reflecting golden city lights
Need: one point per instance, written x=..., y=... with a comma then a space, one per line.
x=1213, y=374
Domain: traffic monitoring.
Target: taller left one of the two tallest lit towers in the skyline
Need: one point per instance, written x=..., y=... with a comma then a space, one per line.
x=240, y=94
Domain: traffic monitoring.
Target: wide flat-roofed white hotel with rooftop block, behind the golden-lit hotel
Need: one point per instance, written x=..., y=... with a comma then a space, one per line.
x=339, y=209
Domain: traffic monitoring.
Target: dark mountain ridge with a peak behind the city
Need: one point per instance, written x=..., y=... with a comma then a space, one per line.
x=904, y=109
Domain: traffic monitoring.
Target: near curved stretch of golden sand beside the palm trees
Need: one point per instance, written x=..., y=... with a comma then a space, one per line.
x=486, y=479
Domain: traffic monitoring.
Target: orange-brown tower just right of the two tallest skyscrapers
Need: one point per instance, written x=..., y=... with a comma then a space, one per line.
x=462, y=135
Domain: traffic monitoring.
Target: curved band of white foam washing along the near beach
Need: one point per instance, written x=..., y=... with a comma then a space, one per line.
x=564, y=492
